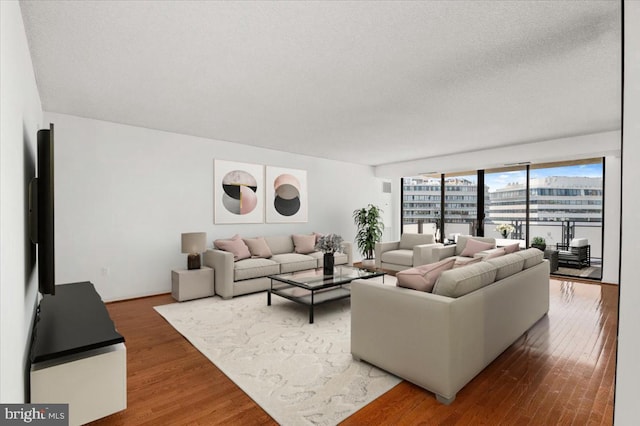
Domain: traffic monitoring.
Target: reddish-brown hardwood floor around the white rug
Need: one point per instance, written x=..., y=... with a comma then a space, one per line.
x=561, y=372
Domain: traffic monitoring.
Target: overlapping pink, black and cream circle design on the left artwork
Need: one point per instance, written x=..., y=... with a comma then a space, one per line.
x=240, y=192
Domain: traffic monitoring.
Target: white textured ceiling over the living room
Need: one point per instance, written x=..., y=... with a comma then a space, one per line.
x=364, y=82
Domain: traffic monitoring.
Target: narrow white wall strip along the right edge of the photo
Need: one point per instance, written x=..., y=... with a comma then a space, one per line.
x=628, y=367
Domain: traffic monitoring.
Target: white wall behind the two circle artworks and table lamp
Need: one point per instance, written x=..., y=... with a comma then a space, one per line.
x=124, y=195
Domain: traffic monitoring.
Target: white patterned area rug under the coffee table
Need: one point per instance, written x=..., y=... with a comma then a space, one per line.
x=299, y=373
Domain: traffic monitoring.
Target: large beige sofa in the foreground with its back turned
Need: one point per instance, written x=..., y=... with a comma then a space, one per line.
x=442, y=340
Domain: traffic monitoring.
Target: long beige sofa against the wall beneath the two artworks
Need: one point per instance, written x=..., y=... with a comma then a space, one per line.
x=233, y=278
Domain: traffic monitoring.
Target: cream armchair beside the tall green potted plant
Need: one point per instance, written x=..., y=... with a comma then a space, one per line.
x=412, y=250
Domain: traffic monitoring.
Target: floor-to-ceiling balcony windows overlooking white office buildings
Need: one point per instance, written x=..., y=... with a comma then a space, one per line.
x=558, y=201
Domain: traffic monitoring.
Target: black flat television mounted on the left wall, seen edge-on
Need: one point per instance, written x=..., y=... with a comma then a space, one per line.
x=41, y=212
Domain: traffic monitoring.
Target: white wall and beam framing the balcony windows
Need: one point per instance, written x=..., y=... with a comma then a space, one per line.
x=606, y=144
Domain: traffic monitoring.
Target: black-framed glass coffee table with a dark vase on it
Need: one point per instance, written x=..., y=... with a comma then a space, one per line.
x=312, y=288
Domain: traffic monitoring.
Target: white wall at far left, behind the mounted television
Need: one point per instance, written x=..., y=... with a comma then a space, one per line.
x=20, y=118
